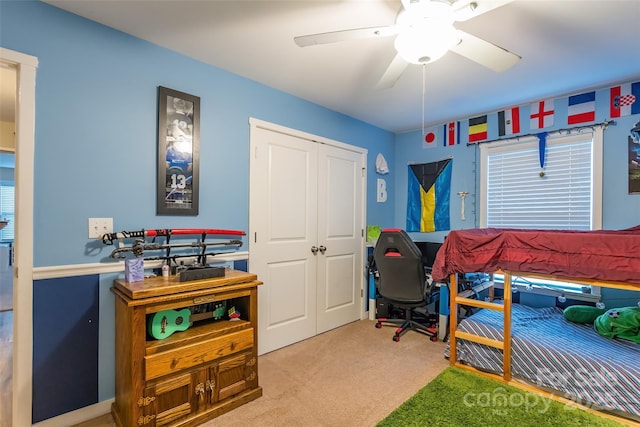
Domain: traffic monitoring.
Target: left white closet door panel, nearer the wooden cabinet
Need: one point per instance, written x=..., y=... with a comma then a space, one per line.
x=283, y=206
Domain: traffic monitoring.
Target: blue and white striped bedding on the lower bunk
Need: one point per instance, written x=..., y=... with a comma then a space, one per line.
x=551, y=352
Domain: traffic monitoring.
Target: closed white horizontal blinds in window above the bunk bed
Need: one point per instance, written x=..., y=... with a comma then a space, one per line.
x=518, y=197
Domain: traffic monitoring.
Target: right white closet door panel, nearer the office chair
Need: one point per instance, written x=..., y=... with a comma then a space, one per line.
x=340, y=228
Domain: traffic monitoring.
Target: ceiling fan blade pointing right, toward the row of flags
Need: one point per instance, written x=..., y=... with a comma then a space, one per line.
x=484, y=52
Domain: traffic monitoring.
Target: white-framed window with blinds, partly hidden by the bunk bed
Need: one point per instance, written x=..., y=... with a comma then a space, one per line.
x=566, y=195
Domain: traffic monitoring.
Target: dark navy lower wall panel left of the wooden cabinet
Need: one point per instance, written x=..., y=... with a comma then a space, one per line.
x=65, y=345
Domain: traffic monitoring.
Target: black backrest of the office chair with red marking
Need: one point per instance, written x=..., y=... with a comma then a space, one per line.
x=400, y=268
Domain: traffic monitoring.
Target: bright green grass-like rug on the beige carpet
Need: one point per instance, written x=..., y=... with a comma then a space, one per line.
x=460, y=398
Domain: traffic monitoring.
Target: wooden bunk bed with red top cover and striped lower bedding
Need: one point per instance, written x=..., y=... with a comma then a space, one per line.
x=537, y=347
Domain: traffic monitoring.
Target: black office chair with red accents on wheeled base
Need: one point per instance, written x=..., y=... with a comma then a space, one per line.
x=401, y=280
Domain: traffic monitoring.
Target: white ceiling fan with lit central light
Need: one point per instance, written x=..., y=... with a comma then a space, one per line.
x=424, y=32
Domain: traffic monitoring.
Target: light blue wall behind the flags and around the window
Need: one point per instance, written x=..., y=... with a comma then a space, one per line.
x=620, y=209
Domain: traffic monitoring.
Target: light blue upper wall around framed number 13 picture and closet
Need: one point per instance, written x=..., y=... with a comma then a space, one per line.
x=96, y=110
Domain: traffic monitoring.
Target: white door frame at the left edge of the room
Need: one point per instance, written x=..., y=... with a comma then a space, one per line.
x=25, y=66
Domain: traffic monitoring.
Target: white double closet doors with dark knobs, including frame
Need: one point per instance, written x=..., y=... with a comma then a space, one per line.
x=306, y=233
